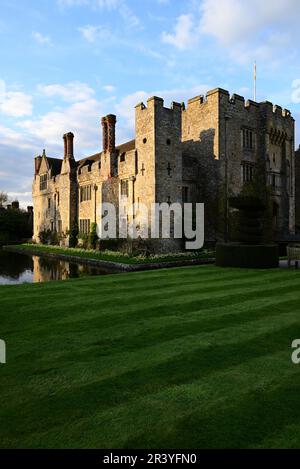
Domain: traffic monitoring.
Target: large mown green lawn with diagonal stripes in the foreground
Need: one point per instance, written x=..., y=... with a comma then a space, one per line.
x=196, y=357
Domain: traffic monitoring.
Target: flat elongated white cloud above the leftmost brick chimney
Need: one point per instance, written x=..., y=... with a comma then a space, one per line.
x=71, y=92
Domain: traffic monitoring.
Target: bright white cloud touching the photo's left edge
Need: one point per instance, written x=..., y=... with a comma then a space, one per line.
x=16, y=104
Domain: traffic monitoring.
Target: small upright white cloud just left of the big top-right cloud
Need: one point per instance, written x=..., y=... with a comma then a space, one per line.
x=184, y=36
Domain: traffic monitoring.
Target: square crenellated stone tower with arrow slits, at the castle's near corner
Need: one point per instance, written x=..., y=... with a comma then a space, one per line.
x=159, y=155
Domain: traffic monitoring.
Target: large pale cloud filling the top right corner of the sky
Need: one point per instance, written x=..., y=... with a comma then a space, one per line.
x=252, y=28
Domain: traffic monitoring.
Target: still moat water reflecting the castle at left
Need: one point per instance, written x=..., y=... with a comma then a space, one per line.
x=20, y=268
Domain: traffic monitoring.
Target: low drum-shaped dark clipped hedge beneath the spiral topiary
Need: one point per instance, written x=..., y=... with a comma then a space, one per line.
x=247, y=256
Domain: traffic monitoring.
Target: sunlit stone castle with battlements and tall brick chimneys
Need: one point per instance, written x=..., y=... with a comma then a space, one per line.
x=179, y=154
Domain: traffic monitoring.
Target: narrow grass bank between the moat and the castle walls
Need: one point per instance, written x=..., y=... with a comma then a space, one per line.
x=115, y=256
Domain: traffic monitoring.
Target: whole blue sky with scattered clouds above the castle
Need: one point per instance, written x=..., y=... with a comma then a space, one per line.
x=66, y=63
